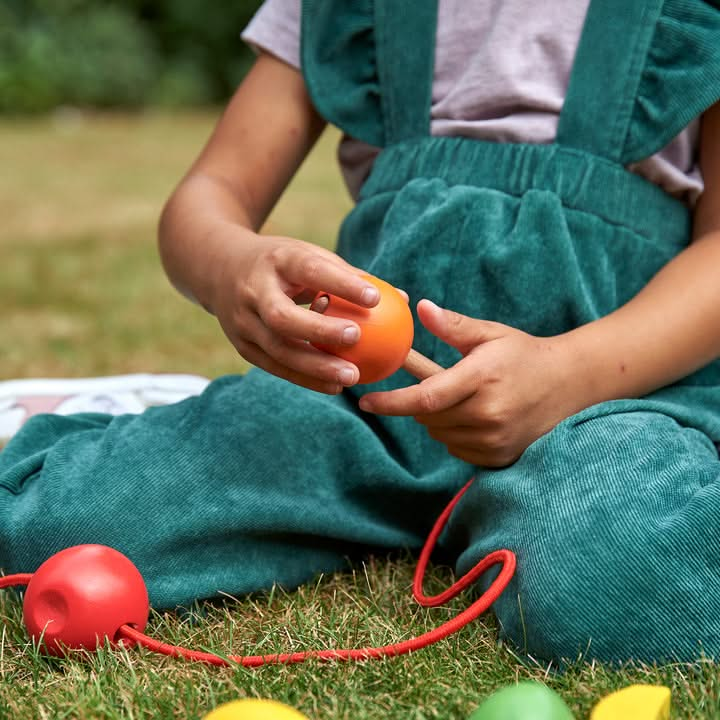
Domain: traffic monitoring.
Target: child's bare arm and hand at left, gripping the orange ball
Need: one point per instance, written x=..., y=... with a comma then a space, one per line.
x=212, y=253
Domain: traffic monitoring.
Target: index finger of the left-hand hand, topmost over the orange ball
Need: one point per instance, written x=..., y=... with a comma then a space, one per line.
x=321, y=274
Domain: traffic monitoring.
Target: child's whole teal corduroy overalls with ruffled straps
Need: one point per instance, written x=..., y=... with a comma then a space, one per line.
x=614, y=515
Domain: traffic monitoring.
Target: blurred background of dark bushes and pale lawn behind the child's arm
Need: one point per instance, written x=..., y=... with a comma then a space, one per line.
x=104, y=104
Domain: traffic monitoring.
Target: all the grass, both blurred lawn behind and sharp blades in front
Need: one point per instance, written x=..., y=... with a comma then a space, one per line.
x=83, y=293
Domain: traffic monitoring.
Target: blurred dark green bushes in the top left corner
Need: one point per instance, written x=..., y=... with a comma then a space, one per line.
x=120, y=53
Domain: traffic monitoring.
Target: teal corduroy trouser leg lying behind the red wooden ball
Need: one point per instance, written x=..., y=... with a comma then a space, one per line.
x=255, y=481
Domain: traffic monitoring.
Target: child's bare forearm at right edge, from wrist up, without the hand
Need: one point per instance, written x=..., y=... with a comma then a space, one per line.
x=669, y=330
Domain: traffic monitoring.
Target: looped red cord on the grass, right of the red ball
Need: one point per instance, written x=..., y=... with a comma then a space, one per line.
x=504, y=557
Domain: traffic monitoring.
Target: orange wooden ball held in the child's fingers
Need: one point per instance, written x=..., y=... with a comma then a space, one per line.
x=386, y=332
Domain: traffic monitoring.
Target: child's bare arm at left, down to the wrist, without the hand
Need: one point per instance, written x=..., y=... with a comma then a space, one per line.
x=257, y=146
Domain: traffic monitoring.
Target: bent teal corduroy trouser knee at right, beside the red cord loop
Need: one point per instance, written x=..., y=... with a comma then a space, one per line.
x=614, y=520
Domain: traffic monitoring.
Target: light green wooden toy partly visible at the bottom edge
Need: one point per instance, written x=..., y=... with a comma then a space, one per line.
x=524, y=701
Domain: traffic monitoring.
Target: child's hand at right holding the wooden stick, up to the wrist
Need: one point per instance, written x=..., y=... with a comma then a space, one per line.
x=508, y=389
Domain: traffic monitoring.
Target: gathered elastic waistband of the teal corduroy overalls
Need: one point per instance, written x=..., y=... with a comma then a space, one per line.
x=582, y=181
